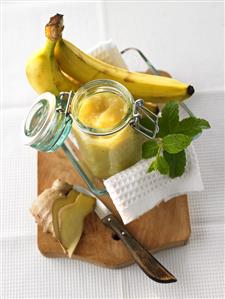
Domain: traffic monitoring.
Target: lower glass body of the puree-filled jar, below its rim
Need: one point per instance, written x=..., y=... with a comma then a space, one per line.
x=107, y=155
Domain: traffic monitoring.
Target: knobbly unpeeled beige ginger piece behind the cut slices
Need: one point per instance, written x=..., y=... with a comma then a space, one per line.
x=41, y=208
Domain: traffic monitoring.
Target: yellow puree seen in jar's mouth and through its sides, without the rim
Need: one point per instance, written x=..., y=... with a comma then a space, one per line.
x=107, y=155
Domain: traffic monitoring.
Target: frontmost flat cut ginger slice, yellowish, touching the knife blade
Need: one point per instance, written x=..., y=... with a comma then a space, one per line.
x=71, y=221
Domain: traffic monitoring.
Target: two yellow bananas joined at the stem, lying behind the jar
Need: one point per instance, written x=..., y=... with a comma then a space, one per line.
x=44, y=71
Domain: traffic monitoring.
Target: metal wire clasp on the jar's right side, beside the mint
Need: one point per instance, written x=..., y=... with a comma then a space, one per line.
x=139, y=111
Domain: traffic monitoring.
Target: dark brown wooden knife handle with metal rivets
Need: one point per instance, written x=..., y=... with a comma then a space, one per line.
x=143, y=258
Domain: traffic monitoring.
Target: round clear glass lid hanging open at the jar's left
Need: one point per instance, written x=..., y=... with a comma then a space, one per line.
x=46, y=127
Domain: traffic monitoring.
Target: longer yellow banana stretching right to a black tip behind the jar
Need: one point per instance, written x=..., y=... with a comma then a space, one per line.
x=85, y=68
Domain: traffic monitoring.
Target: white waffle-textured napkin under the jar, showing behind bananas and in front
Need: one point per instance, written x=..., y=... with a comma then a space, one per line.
x=134, y=191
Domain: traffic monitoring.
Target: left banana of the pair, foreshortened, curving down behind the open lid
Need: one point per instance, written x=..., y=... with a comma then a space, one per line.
x=43, y=71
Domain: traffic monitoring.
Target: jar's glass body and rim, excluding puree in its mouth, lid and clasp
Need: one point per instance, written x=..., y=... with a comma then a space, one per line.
x=106, y=151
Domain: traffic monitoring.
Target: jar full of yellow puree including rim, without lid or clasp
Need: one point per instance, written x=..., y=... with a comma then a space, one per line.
x=101, y=111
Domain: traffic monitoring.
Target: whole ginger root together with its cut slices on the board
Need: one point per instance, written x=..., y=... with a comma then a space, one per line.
x=61, y=211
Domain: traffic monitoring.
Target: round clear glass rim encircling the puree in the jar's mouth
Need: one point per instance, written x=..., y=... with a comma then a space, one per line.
x=103, y=85
